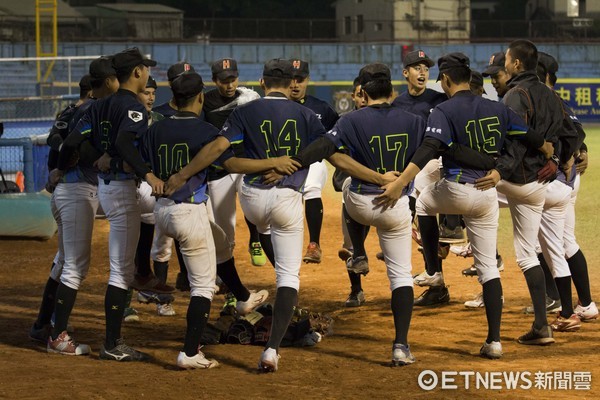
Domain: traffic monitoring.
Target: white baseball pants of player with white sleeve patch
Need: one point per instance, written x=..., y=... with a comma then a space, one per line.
x=119, y=200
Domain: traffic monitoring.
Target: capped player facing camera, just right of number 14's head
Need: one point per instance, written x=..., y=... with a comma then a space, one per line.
x=317, y=175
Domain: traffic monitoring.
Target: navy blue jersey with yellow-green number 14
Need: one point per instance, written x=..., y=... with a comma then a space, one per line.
x=271, y=127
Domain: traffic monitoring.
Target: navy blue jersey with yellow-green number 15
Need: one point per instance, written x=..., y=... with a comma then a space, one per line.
x=475, y=122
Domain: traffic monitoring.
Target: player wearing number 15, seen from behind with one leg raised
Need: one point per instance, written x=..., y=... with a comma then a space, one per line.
x=470, y=121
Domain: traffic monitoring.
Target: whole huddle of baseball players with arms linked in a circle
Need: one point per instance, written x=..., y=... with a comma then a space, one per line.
x=423, y=165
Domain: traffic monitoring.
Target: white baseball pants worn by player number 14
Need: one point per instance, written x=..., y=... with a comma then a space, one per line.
x=280, y=209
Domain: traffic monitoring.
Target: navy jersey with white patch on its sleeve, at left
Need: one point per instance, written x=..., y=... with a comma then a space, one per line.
x=105, y=118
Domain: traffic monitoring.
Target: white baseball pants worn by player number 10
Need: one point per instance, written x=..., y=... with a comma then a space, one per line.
x=189, y=224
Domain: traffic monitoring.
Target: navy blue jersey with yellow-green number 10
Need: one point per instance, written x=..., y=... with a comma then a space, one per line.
x=171, y=143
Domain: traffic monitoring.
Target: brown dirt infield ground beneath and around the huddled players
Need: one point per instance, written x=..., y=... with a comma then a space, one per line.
x=352, y=363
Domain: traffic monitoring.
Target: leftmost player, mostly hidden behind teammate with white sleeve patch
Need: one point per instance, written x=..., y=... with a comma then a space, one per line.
x=74, y=204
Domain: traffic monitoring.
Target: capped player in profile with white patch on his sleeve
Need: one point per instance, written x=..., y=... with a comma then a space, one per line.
x=113, y=124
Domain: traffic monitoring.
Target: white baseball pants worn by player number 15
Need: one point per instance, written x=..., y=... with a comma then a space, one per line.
x=480, y=212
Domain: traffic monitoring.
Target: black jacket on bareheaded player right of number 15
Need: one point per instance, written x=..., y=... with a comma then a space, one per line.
x=542, y=109
